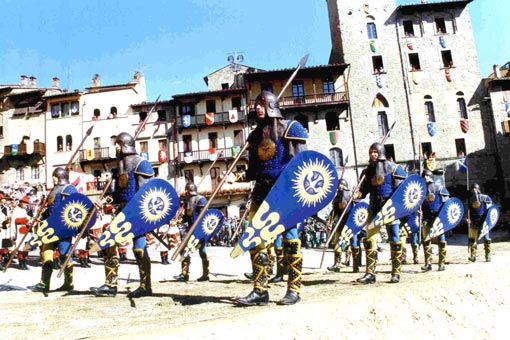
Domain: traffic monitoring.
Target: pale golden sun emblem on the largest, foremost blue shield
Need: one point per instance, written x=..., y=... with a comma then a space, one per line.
x=313, y=182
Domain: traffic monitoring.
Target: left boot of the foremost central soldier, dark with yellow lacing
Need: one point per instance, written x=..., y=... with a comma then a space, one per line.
x=259, y=295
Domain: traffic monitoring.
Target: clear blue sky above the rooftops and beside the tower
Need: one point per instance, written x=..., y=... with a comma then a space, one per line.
x=175, y=43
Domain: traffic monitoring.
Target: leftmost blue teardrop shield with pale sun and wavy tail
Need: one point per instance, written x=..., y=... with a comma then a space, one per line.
x=66, y=220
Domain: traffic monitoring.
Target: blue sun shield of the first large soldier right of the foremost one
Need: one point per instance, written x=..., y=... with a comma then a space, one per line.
x=405, y=200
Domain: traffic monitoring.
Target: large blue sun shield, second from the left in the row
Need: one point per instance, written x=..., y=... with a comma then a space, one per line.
x=154, y=205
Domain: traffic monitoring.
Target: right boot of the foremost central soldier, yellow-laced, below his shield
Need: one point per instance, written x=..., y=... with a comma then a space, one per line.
x=292, y=253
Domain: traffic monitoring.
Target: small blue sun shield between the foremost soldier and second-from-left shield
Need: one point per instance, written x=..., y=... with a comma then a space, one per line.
x=208, y=226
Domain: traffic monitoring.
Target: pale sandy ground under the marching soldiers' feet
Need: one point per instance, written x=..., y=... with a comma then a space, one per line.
x=467, y=301
